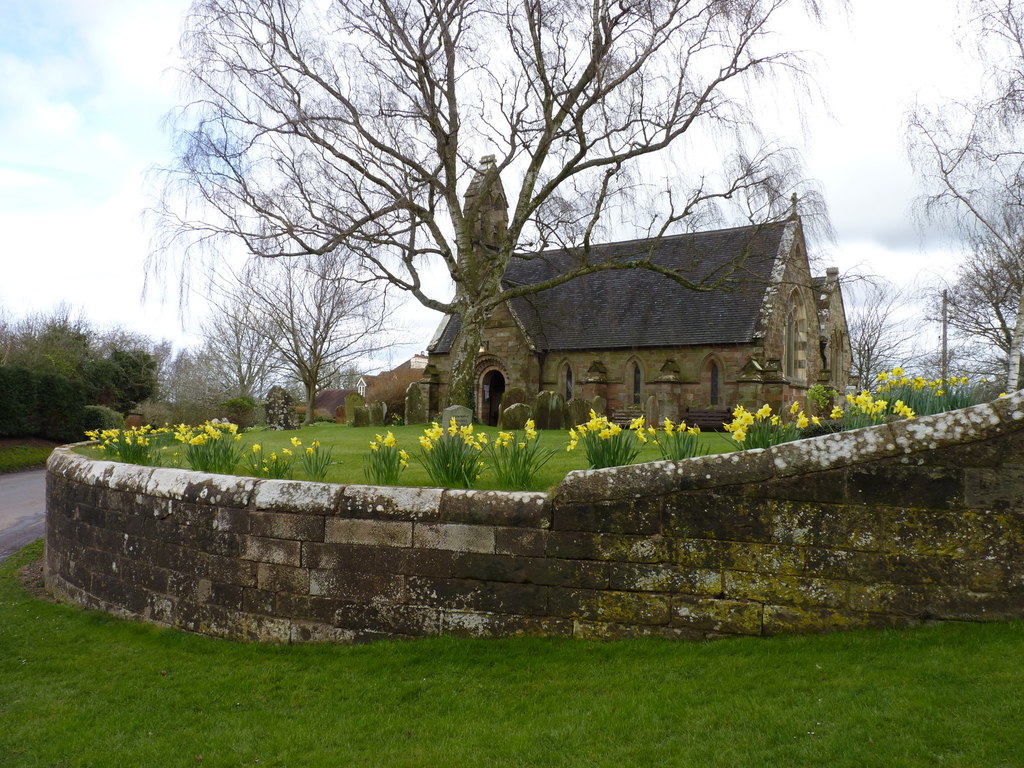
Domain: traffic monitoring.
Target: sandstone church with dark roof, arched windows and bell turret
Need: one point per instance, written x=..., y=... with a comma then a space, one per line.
x=766, y=333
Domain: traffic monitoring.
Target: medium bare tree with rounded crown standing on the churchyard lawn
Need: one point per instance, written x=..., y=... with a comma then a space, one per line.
x=313, y=316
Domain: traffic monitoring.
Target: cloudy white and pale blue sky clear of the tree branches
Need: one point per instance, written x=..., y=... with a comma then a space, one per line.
x=86, y=84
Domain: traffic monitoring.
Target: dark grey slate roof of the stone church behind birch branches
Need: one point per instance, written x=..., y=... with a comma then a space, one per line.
x=628, y=309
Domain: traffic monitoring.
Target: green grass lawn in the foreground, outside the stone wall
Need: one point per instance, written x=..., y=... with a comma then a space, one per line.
x=80, y=689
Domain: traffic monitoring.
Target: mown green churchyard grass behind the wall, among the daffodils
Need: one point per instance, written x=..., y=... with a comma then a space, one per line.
x=351, y=445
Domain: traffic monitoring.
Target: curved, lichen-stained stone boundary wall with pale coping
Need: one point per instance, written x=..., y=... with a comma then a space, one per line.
x=883, y=527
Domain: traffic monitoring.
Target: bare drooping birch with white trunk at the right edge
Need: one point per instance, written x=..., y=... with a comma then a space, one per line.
x=970, y=153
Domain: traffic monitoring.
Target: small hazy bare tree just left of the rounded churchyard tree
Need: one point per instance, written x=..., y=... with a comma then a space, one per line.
x=237, y=346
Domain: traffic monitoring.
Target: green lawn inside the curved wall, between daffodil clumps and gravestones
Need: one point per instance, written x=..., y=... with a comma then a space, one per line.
x=351, y=444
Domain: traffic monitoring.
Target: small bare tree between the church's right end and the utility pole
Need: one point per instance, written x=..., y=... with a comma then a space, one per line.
x=882, y=334
